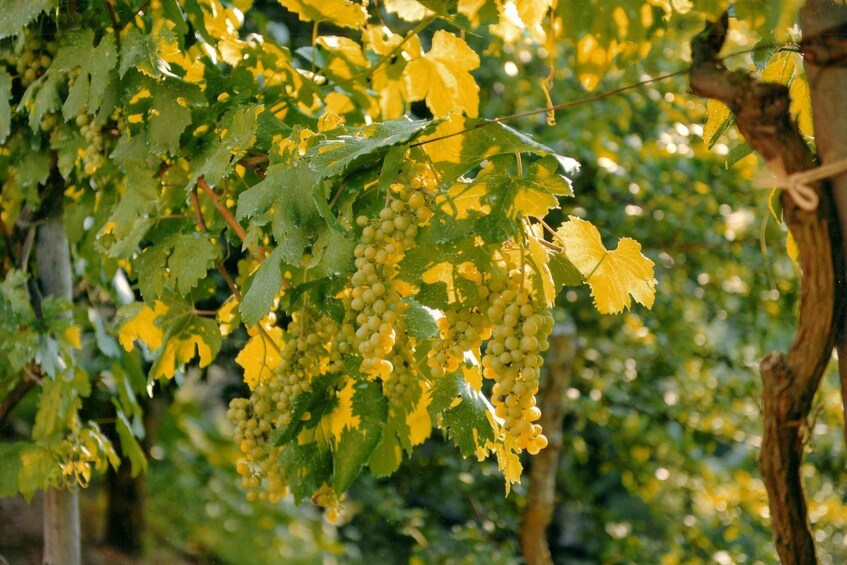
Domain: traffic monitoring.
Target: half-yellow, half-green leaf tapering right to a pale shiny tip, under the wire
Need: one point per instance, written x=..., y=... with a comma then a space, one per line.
x=459, y=144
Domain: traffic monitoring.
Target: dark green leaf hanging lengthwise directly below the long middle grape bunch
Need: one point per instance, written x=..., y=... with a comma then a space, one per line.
x=356, y=444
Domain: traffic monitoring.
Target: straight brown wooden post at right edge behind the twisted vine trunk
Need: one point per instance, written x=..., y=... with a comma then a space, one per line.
x=823, y=23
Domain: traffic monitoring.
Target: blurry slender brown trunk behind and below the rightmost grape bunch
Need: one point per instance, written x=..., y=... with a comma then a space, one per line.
x=541, y=495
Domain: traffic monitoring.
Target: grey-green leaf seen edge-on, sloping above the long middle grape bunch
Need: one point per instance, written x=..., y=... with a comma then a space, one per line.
x=340, y=155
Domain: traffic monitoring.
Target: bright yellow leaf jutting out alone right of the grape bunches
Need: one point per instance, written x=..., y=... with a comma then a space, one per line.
x=612, y=275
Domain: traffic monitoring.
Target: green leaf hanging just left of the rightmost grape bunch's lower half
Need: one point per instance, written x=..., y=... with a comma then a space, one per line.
x=466, y=423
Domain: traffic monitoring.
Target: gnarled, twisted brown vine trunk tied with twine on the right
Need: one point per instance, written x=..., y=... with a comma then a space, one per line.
x=790, y=381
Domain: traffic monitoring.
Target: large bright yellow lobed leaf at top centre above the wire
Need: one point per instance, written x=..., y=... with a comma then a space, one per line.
x=442, y=76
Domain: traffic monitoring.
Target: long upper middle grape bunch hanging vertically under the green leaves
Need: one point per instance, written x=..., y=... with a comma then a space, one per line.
x=374, y=302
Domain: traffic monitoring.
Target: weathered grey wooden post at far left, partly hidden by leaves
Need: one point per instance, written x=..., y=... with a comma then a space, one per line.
x=61, y=507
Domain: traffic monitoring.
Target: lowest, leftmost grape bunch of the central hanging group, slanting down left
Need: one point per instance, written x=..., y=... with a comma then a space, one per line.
x=306, y=353
